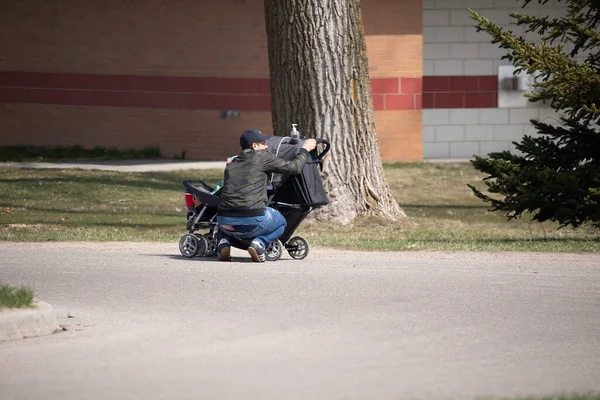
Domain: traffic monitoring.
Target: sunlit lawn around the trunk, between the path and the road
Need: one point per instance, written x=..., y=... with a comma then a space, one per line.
x=76, y=205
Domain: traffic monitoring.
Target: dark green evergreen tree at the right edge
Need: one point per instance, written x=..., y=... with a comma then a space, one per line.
x=556, y=174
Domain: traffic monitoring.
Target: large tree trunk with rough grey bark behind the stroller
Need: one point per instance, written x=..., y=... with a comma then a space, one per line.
x=320, y=80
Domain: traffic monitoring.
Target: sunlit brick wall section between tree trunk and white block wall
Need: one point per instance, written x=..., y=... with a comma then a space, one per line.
x=394, y=38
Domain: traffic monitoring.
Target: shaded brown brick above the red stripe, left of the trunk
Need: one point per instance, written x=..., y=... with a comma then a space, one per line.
x=224, y=38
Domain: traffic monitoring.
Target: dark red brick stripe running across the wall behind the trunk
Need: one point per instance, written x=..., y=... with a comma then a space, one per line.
x=229, y=93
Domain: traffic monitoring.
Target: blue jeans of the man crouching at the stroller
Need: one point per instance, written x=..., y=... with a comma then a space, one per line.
x=265, y=228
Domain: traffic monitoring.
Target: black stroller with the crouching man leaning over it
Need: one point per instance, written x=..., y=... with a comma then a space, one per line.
x=294, y=196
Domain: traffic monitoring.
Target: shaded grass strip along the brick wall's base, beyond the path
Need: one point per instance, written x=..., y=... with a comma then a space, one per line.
x=53, y=154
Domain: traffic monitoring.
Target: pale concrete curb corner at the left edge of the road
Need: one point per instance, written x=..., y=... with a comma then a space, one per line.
x=31, y=322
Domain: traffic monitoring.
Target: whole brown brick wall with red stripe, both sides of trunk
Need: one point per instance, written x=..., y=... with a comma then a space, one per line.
x=98, y=58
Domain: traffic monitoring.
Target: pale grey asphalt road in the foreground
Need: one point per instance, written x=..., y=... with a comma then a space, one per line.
x=149, y=324
